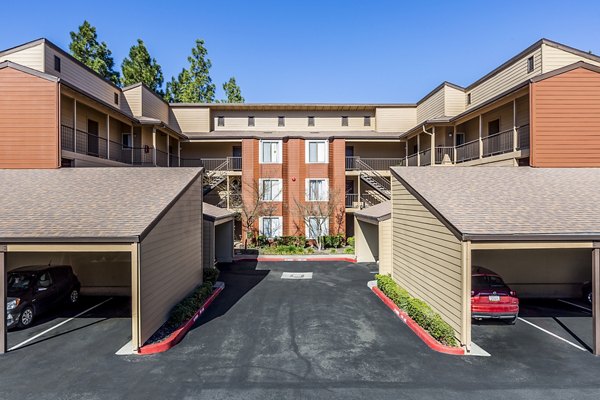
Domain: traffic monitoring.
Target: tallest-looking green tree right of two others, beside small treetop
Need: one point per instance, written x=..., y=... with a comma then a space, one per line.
x=193, y=84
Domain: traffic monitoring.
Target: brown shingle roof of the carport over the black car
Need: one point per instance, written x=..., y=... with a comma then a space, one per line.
x=86, y=204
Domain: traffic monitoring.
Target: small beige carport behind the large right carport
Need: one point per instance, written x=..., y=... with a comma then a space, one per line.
x=373, y=233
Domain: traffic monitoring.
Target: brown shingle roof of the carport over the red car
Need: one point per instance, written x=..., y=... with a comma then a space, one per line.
x=511, y=203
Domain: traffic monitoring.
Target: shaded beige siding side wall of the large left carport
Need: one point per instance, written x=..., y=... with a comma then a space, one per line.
x=171, y=260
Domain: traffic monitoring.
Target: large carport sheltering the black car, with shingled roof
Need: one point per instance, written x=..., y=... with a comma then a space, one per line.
x=151, y=217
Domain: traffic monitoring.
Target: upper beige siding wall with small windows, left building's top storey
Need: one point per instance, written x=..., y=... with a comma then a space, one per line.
x=82, y=79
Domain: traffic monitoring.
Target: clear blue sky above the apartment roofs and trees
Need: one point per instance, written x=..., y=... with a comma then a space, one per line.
x=319, y=51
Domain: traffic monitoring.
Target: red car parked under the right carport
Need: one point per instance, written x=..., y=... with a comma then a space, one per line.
x=491, y=297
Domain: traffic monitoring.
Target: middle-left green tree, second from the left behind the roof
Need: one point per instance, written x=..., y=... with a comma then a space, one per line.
x=140, y=67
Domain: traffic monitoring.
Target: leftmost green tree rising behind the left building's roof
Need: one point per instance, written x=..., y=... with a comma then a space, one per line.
x=85, y=47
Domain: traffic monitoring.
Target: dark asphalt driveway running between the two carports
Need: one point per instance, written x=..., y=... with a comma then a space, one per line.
x=326, y=337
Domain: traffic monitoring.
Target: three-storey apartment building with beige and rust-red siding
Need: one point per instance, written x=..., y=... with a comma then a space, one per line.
x=56, y=112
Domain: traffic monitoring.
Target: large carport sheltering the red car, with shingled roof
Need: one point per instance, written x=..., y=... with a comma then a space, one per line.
x=538, y=227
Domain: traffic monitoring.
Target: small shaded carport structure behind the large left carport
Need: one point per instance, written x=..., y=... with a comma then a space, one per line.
x=218, y=235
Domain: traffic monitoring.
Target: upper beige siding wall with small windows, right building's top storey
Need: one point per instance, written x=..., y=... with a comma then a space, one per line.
x=505, y=79
